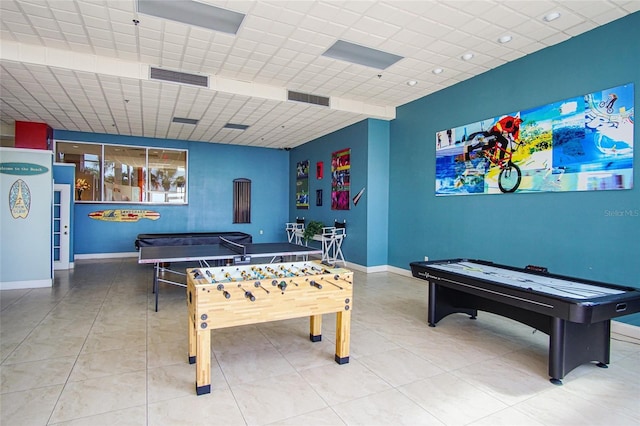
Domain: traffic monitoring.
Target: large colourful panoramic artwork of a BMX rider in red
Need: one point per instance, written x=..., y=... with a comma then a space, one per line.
x=583, y=143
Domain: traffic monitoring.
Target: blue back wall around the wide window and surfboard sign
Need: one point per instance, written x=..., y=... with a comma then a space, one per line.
x=212, y=168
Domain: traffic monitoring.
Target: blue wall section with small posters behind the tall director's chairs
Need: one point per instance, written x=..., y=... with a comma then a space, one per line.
x=369, y=144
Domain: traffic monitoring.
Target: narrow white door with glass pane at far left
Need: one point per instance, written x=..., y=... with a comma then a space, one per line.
x=61, y=225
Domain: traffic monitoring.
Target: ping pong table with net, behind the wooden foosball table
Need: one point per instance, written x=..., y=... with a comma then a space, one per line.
x=226, y=252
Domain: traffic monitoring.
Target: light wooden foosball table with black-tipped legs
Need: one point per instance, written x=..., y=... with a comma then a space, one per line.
x=236, y=295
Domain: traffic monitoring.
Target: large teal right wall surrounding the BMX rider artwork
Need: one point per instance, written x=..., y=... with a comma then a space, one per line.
x=571, y=233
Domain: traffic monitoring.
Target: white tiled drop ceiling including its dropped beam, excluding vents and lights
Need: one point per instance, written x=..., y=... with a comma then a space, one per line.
x=84, y=65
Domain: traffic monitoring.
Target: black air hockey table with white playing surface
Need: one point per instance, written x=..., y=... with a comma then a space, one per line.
x=575, y=313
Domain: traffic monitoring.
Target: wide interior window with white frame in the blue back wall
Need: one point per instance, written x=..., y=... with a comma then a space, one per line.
x=121, y=173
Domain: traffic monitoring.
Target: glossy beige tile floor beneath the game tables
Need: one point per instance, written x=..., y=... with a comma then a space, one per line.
x=91, y=351
